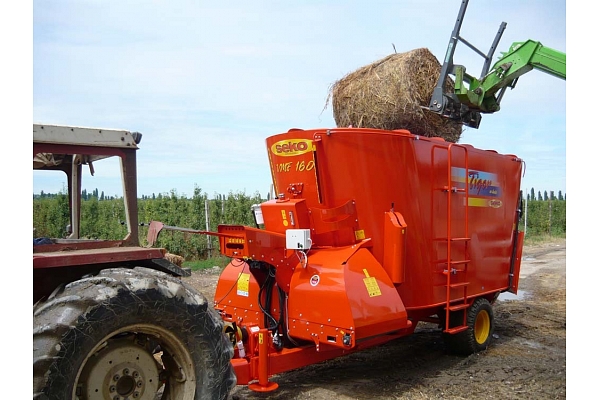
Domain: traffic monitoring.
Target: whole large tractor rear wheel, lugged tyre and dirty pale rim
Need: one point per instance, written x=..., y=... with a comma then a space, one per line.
x=129, y=334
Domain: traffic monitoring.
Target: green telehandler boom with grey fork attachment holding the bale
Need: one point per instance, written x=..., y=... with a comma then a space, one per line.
x=473, y=96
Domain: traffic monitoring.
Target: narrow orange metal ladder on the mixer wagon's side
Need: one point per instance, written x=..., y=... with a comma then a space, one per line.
x=456, y=237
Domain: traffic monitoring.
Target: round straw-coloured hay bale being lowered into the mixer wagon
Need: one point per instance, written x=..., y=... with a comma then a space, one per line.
x=389, y=93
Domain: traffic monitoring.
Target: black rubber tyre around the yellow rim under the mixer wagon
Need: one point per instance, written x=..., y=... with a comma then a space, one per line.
x=464, y=343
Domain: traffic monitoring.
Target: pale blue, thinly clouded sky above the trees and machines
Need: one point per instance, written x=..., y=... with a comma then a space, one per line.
x=207, y=82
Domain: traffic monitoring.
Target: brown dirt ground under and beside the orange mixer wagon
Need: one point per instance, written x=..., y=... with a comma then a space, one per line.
x=526, y=360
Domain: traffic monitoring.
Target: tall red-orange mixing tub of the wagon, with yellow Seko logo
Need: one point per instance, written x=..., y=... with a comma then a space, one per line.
x=347, y=181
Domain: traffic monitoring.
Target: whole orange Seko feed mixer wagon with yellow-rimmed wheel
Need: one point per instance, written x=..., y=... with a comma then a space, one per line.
x=371, y=232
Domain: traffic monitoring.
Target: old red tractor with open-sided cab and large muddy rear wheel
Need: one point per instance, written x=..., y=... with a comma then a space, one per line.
x=112, y=319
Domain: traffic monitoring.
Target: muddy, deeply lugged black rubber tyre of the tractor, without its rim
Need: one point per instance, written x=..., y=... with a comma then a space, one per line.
x=71, y=323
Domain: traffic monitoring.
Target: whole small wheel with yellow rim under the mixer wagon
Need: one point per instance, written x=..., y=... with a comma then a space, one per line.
x=480, y=326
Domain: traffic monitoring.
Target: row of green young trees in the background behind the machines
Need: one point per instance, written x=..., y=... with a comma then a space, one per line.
x=103, y=218
